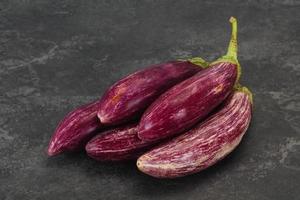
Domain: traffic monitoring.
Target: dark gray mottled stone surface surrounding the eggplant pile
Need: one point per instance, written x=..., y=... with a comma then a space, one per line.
x=57, y=55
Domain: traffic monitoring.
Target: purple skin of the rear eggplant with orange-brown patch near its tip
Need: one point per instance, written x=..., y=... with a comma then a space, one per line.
x=130, y=96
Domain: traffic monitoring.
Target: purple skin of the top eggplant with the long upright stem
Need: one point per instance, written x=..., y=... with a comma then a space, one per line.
x=188, y=102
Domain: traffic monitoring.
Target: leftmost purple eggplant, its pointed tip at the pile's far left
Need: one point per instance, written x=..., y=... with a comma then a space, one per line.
x=74, y=131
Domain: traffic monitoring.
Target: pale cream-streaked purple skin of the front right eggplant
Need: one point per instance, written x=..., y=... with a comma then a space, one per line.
x=202, y=146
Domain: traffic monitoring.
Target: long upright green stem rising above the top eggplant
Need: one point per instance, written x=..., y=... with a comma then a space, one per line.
x=232, y=48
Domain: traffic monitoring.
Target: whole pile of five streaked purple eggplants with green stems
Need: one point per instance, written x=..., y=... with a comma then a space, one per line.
x=176, y=118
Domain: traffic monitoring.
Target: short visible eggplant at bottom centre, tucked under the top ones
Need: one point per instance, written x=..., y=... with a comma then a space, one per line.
x=117, y=144
